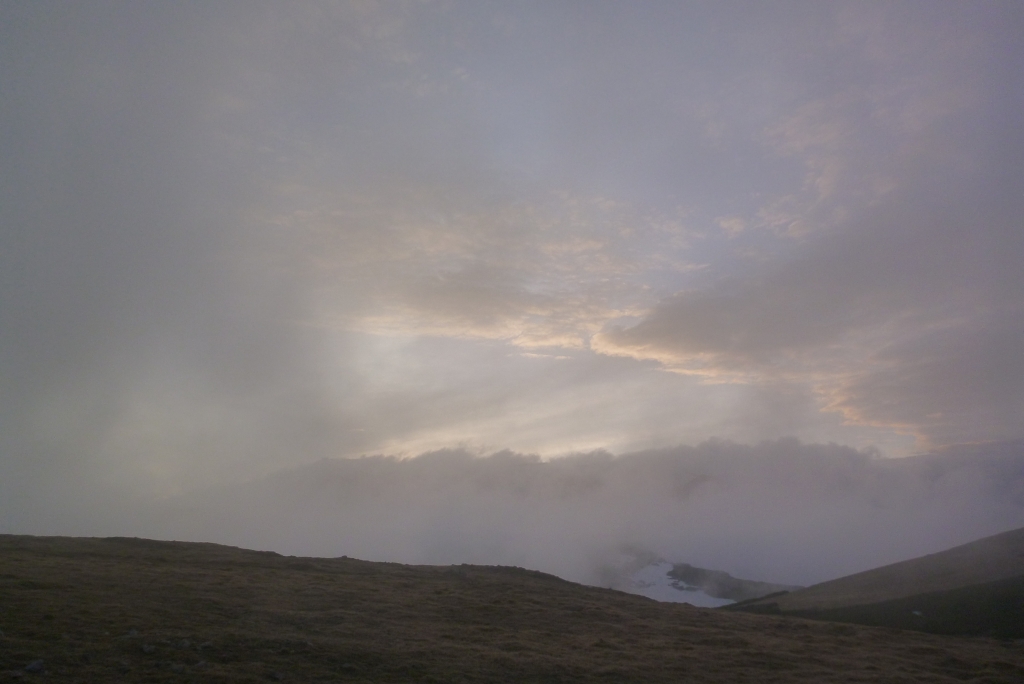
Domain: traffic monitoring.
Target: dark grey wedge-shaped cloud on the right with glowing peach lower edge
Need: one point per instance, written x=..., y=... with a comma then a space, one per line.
x=881, y=318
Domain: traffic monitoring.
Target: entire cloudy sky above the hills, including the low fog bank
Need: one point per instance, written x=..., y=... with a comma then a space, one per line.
x=477, y=253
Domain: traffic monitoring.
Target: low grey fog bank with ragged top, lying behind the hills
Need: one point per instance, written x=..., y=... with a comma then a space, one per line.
x=780, y=511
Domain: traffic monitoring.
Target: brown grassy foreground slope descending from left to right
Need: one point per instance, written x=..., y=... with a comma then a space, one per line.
x=98, y=611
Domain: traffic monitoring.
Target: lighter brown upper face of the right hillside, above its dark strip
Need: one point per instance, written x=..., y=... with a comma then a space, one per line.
x=989, y=560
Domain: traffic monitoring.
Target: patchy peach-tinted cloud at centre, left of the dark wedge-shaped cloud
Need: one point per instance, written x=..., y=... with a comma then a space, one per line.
x=547, y=272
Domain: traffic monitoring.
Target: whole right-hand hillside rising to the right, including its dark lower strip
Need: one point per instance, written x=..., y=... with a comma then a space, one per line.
x=976, y=588
